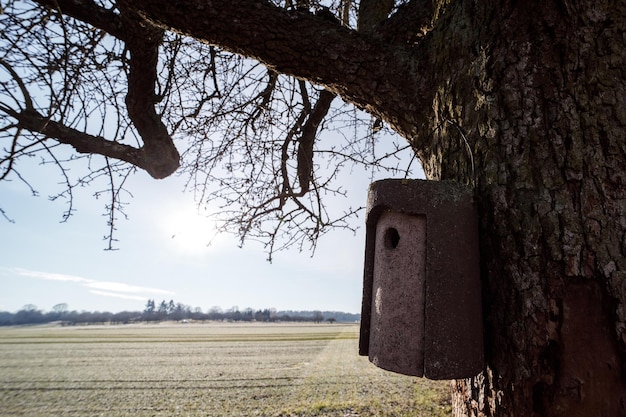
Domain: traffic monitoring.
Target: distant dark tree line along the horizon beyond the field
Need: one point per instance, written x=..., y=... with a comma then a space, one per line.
x=167, y=311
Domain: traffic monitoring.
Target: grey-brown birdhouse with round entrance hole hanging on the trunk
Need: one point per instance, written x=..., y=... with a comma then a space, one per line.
x=421, y=311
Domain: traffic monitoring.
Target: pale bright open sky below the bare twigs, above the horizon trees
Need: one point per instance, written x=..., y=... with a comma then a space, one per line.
x=44, y=262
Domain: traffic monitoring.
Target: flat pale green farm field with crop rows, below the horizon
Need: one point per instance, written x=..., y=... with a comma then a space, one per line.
x=211, y=370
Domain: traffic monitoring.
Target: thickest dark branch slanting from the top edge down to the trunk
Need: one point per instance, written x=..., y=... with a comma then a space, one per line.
x=378, y=77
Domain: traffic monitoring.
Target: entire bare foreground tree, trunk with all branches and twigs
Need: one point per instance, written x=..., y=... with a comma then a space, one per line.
x=523, y=101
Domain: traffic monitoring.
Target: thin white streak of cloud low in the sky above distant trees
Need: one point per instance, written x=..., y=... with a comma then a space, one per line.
x=104, y=288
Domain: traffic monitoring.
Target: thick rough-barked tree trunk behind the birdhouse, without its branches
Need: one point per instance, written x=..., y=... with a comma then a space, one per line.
x=534, y=117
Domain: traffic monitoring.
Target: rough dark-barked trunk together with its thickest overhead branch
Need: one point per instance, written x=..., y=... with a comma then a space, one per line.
x=525, y=101
